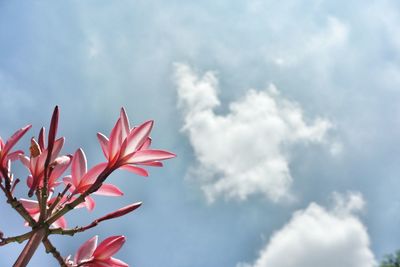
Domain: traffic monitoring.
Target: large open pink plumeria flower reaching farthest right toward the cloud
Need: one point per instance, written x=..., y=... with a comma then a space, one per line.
x=128, y=147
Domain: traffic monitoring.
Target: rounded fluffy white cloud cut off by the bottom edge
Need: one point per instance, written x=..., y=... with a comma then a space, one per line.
x=317, y=236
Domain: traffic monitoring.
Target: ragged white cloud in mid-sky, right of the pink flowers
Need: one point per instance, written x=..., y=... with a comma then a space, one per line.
x=246, y=151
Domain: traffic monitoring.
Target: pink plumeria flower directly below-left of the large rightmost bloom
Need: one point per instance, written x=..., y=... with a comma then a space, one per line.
x=81, y=179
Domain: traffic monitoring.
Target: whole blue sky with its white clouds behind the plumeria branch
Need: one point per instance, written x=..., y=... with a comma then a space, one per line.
x=284, y=117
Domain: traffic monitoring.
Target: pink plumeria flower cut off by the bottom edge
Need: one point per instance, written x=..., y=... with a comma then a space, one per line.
x=91, y=255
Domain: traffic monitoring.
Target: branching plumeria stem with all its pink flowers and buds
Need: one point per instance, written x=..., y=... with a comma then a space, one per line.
x=56, y=193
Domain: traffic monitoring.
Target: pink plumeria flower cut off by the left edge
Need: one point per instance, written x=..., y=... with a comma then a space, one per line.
x=5, y=155
